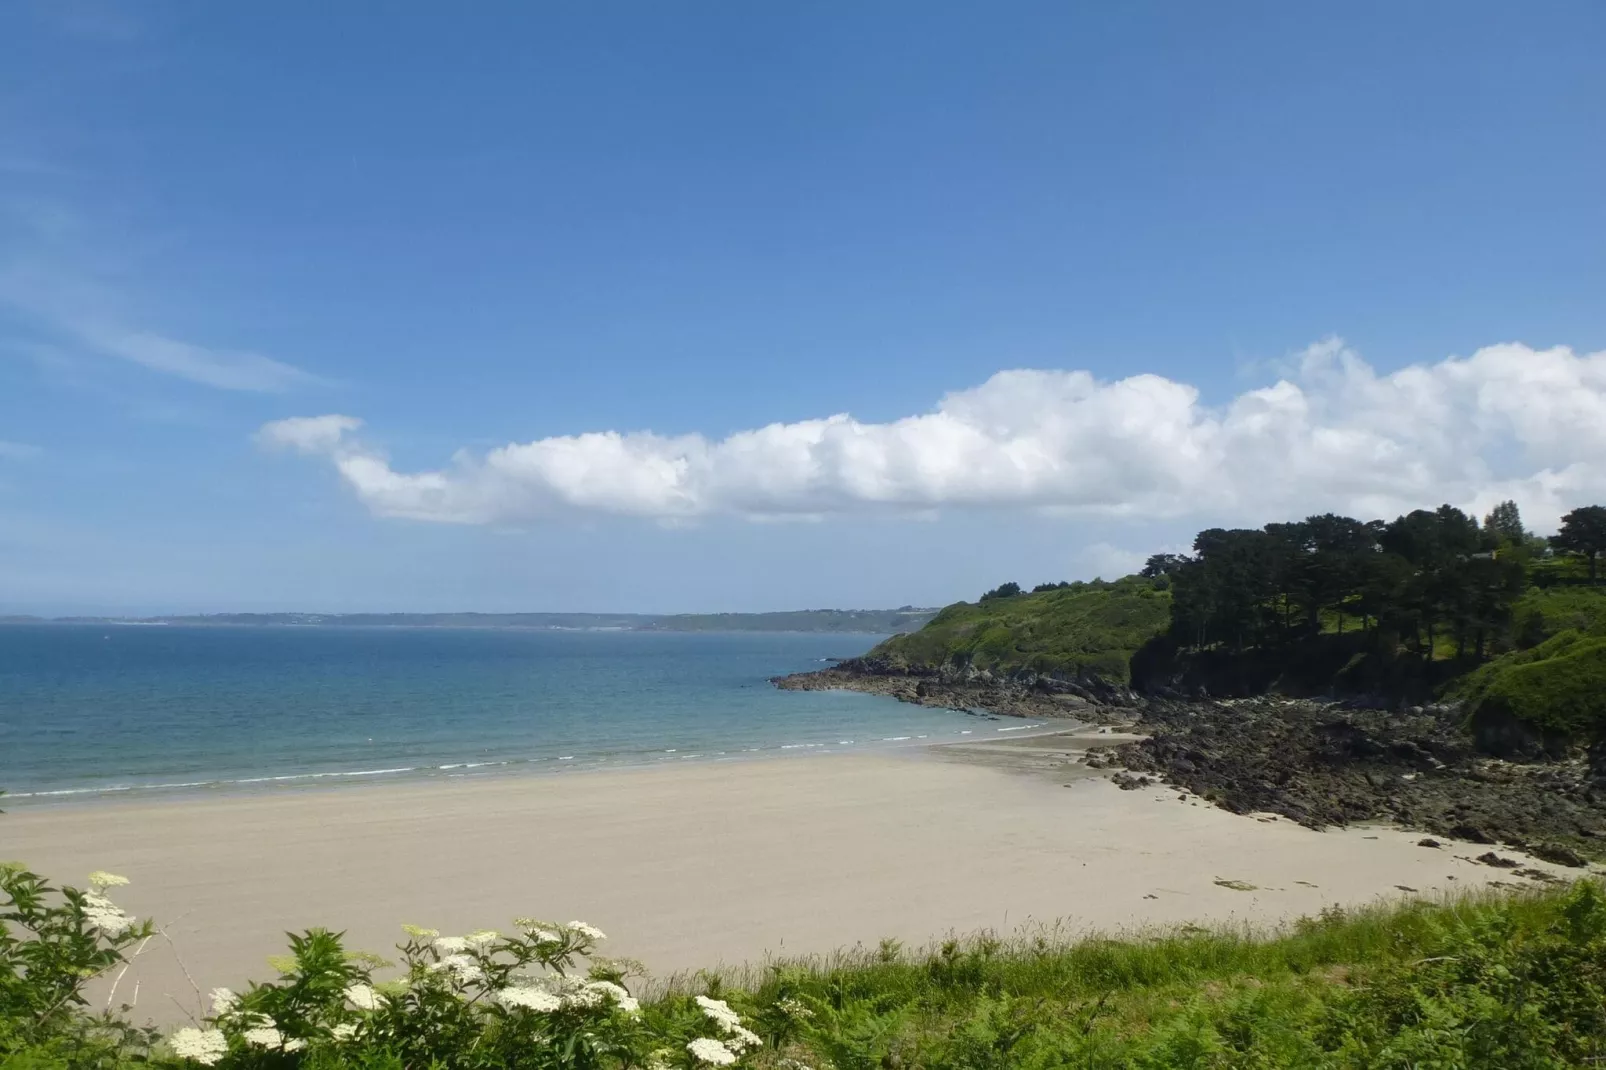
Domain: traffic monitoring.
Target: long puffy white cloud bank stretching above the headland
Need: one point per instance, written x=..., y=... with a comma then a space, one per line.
x=1332, y=435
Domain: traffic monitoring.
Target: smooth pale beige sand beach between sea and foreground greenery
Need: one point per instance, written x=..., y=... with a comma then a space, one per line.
x=706, y=865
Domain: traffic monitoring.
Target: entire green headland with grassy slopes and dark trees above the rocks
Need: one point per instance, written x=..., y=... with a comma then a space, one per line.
x=1430, y=603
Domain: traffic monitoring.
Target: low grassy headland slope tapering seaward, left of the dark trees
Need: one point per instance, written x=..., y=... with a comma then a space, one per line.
x=1078, y=629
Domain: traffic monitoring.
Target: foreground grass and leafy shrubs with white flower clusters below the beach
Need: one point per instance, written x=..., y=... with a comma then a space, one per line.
x=1475, y=982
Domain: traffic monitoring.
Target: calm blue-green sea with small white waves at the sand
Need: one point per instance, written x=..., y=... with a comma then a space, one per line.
x=129, y=711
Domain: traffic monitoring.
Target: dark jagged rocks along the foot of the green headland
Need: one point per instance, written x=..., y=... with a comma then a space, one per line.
x=1321, y=764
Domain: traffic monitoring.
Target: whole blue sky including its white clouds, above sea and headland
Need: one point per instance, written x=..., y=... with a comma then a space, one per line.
x=561, y=259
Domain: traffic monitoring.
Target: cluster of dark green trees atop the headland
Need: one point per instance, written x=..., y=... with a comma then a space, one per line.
x=1422, y=579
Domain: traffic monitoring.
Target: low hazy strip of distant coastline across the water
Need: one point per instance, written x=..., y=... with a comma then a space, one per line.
x=860, y=621
